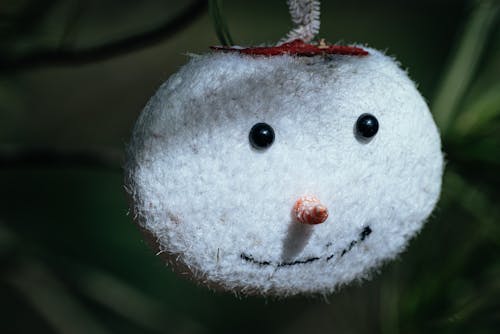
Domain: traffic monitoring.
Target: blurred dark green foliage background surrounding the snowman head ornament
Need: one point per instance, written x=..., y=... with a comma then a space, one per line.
x=71, y=261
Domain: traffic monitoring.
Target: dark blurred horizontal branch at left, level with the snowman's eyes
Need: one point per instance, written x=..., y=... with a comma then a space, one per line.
x=11, y=158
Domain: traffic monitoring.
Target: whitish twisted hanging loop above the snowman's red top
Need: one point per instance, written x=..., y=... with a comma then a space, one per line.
x=305, y=17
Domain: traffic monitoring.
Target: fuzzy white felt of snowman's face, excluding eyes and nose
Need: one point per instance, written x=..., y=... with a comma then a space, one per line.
x=222, y=211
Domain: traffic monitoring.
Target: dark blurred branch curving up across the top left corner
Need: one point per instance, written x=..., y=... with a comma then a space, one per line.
x=68, y=56
